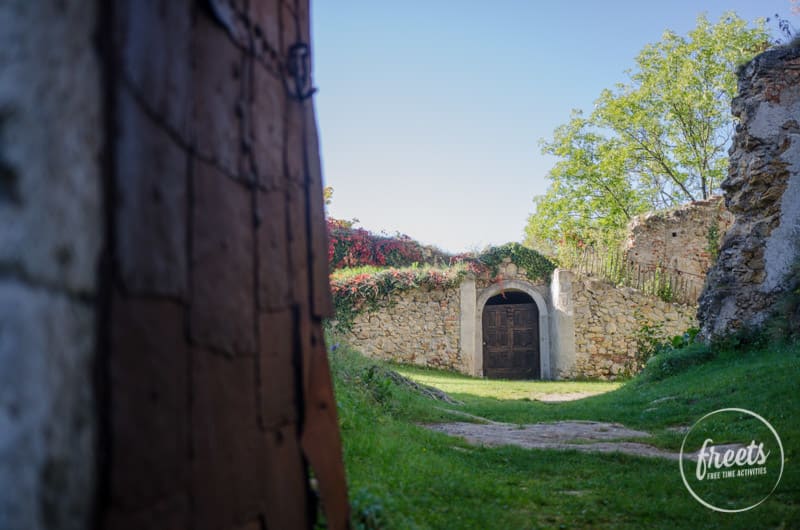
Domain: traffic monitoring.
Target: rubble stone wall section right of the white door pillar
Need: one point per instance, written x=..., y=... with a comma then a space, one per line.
x=607, y=319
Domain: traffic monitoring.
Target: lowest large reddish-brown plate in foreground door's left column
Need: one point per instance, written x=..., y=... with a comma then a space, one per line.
x=148, y=383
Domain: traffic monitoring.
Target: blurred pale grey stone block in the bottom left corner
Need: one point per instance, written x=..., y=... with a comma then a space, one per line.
x=47, y=422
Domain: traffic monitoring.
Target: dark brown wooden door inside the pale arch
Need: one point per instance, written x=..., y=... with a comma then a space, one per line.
x=510, y=323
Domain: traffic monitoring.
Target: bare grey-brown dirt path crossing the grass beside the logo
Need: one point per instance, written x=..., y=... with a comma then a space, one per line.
x=588, y=436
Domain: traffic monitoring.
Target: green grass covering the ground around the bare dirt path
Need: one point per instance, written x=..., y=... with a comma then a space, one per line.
x=404, y=476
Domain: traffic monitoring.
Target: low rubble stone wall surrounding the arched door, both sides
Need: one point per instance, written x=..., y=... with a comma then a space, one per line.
x=589, y=326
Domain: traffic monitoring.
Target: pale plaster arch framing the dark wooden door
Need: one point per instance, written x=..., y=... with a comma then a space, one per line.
x=544, y=323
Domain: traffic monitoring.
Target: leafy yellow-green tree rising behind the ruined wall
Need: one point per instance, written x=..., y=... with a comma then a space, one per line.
x=657, y=141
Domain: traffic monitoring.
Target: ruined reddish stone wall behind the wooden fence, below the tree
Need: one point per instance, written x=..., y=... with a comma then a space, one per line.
x=678, y=239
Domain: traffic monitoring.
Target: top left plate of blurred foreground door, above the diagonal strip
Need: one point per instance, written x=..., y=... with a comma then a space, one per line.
x=154, y=38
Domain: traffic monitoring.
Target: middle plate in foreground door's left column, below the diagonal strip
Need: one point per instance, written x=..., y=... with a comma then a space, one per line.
x=151, y=211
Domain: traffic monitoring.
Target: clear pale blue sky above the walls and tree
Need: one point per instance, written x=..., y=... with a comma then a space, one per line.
x=430, y=112
